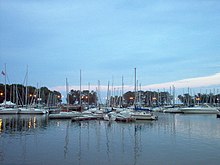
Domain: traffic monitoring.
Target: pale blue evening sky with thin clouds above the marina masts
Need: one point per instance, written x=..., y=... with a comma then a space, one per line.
x=170, y=43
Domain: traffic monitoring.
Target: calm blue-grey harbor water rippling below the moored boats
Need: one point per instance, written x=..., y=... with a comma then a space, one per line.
x=172, y=139
